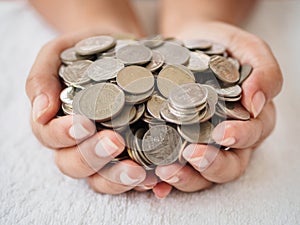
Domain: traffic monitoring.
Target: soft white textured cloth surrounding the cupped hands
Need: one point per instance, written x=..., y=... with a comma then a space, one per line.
x=33, y=191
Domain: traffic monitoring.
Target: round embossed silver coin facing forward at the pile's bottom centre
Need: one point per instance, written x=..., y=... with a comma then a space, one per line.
x=161, y=145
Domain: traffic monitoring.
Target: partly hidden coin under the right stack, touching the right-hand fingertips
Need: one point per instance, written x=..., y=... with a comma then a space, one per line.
x=197, y=133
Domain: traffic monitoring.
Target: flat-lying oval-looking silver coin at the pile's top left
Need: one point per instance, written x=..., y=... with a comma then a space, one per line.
x=93, y=45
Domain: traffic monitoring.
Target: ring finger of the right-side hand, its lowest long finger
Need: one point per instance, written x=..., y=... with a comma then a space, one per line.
x=183, y=178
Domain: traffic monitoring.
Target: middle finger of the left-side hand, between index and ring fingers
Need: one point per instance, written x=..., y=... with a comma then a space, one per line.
x=91, y=155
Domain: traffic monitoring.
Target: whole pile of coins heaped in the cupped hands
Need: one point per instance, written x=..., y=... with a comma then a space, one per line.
x=160, y=94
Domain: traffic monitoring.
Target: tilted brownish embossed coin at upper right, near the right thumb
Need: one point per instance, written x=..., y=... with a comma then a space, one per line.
x=224, y=70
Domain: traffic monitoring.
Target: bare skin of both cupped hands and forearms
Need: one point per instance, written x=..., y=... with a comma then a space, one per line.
x=75, y=154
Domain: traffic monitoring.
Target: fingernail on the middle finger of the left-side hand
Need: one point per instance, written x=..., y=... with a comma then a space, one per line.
x=105, y=148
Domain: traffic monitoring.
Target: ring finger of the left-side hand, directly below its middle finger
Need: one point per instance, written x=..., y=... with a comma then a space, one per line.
x=117, y=179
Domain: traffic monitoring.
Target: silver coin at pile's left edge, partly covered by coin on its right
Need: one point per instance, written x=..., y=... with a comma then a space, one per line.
x=75, y=73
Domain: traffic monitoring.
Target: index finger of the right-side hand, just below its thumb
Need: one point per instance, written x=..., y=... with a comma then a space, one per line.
x=244, y=134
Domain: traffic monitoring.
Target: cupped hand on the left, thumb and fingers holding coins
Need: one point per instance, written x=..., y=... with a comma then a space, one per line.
x=80, y=151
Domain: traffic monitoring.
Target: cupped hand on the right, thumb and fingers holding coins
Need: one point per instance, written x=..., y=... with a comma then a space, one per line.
x=208, y=164
